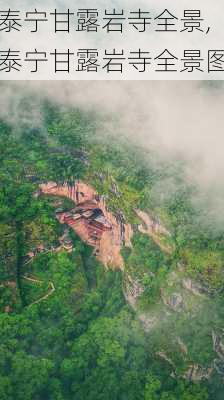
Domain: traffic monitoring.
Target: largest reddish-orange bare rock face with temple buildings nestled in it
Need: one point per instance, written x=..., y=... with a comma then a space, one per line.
x=93, y=222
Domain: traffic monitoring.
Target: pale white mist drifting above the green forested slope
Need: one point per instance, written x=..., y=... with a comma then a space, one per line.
x=178, y=119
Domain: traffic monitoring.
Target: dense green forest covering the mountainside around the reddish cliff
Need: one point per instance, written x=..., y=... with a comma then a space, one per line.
x=83, y=340
